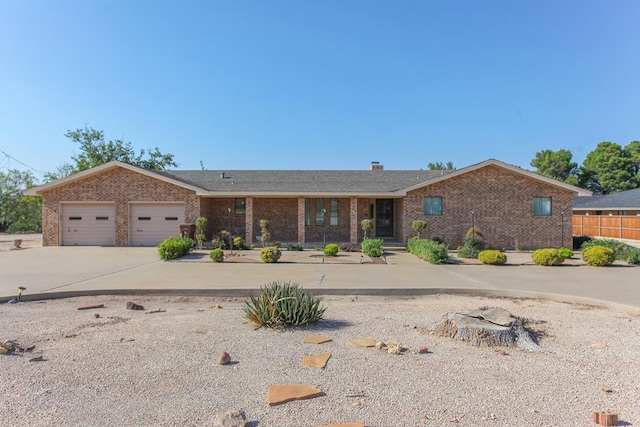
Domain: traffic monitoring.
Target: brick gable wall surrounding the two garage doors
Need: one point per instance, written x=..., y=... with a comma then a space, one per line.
x=117, y=185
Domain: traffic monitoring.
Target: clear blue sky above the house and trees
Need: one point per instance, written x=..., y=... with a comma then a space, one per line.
x=319, y=84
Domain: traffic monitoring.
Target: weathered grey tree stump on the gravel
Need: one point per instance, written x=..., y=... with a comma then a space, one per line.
x=487, y=327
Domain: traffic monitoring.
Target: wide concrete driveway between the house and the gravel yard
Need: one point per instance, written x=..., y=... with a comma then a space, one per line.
x=60, y=271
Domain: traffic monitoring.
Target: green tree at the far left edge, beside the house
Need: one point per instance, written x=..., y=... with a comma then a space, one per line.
x=18, y=212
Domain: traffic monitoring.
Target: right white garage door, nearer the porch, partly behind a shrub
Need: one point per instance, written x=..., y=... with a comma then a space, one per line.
x=151, y=223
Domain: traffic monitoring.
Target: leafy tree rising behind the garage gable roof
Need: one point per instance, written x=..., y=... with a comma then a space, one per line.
x=95, y=151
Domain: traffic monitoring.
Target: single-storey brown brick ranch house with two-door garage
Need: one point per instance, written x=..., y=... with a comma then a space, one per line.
x=117, y=204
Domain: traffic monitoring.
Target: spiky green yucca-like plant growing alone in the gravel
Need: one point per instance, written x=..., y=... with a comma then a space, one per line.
x=283, y=304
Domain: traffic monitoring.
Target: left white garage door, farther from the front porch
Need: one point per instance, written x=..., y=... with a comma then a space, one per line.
x=88, y=224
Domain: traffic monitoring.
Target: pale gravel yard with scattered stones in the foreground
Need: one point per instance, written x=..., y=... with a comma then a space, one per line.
x=138, y=368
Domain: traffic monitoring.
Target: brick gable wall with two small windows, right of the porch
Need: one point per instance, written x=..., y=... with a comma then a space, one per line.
x=502, y=202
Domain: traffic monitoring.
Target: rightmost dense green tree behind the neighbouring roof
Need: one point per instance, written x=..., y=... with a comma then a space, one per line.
x=609, y=168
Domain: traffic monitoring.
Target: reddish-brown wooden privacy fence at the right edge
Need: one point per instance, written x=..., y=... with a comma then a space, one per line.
x=614, y=226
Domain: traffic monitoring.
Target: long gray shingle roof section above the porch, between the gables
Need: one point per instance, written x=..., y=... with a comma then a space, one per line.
x=298, y=181
